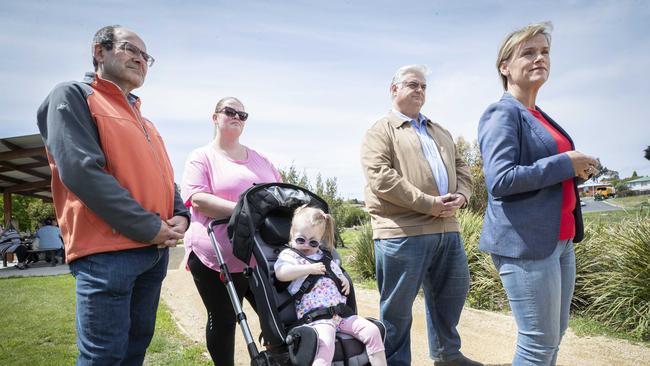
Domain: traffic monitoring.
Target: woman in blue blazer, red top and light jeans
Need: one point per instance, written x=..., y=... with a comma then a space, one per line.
x=532, y=219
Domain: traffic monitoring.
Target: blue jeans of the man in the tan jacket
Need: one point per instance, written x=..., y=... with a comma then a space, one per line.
x=438, y=263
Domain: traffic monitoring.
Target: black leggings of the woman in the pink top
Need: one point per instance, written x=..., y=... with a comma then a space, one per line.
x=220, y=328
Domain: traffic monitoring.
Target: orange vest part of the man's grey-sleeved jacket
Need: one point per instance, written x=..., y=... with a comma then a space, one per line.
x=135, y=156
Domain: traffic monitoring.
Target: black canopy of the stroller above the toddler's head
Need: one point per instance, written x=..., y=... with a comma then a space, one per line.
x=267, y=208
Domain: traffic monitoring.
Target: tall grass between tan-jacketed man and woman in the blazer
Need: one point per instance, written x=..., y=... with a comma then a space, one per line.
x=486, y=290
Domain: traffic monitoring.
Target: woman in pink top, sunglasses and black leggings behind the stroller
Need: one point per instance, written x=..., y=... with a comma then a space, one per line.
x=215, y=175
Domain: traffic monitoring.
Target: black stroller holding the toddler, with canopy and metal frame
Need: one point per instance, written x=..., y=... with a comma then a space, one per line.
x=260, y=227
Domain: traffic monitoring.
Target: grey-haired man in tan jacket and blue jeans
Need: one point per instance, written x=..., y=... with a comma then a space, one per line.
x=416, y=180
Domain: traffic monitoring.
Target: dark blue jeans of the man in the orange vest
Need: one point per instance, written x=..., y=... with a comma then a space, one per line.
x=117, y=299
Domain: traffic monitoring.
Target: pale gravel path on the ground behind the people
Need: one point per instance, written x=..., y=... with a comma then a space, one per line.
x=487, y=337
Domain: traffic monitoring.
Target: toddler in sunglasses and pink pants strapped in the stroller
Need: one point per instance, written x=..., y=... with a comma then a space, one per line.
x=319, y=287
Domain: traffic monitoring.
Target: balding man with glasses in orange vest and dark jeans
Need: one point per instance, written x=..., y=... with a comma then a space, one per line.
x=115, y=199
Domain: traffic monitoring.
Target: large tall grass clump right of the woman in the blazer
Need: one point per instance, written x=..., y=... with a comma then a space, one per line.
x=614, y=280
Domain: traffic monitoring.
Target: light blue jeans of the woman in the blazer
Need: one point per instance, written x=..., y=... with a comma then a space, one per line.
x=539, y=292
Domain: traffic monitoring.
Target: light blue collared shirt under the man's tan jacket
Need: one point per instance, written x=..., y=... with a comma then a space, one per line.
x=430, y=150
